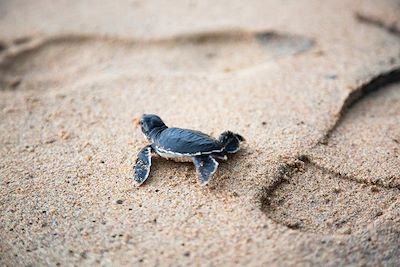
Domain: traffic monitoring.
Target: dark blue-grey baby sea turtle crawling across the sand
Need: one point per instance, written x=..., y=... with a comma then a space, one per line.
x=184, y=146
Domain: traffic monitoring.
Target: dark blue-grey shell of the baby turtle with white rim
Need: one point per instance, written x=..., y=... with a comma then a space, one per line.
x=186, y=142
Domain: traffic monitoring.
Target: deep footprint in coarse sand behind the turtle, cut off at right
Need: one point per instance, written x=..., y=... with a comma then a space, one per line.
x=352, y=179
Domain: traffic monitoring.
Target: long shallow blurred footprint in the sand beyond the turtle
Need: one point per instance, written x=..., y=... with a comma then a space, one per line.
x=213, y=52
